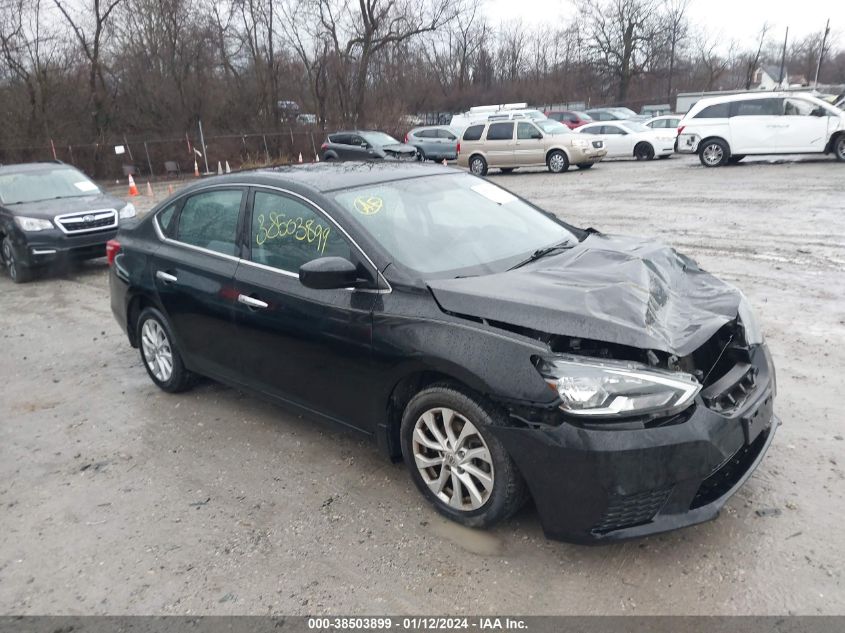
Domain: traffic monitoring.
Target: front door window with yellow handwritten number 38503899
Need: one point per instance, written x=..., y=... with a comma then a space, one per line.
x=286, y=233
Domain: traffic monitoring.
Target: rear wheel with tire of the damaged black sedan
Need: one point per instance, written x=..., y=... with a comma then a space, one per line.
x=158, y=351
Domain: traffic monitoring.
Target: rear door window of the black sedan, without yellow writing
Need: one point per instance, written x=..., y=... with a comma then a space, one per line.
x=210, y=220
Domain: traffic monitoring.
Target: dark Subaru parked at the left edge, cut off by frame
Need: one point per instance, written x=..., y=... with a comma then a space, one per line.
x=51, y=213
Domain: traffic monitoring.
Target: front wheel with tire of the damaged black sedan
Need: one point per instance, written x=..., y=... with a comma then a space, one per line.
x=499, y=490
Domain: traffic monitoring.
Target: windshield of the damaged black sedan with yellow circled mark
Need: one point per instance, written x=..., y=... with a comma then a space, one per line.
x=448, y=226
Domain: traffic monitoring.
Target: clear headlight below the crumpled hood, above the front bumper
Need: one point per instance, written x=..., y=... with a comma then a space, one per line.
x=611, y=389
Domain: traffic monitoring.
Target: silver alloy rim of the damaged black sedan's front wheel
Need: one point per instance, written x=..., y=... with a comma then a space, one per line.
x=453, y=459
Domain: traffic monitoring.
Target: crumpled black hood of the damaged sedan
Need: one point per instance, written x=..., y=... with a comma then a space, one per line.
x=615, y=289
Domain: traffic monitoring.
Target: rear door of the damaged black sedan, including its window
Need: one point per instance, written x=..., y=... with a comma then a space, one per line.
x=194, y=271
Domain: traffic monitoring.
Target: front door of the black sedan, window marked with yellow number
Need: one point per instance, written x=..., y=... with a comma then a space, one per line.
x=310, y=347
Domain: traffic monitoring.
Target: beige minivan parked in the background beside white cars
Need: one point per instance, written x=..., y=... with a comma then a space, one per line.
x=506, y=145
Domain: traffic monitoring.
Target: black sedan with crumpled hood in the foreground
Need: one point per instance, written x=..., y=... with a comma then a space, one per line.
x=496, y=349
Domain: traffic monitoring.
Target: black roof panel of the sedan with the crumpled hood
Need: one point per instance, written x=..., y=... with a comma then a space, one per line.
x=331, y=176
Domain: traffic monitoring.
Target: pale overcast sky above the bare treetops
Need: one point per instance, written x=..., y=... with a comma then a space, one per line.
x=740, y=20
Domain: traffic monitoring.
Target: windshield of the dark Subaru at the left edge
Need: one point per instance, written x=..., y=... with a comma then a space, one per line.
x=45, y=184
